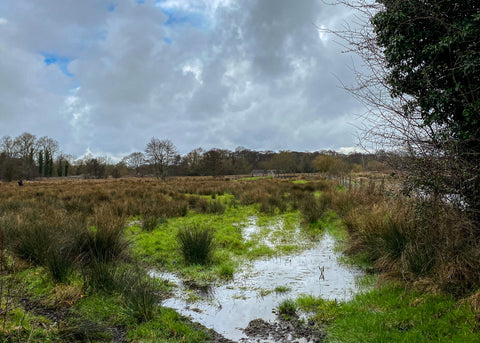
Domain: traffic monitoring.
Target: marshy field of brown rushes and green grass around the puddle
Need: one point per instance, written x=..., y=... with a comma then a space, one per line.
x=75, y=257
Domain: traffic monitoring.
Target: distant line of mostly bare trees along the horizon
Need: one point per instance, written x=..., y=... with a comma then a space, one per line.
x=29, y=157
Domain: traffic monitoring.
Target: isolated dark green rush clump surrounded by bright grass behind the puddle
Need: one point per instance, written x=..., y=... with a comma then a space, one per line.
x=196, y=244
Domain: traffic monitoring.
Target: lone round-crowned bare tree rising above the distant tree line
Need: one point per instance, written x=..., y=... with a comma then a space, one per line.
x=161, y=155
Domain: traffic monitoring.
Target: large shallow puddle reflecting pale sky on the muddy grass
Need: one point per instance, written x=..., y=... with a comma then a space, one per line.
x=251, y=294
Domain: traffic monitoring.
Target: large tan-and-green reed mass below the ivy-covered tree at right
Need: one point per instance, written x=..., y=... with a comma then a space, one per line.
x=414, y=239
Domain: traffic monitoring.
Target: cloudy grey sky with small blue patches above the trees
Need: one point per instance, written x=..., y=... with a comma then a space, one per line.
x=105, y=76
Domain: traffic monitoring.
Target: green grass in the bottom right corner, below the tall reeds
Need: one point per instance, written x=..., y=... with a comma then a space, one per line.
x=393, y=314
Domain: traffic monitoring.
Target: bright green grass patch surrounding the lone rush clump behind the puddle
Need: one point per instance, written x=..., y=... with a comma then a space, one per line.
x=160, y=248
